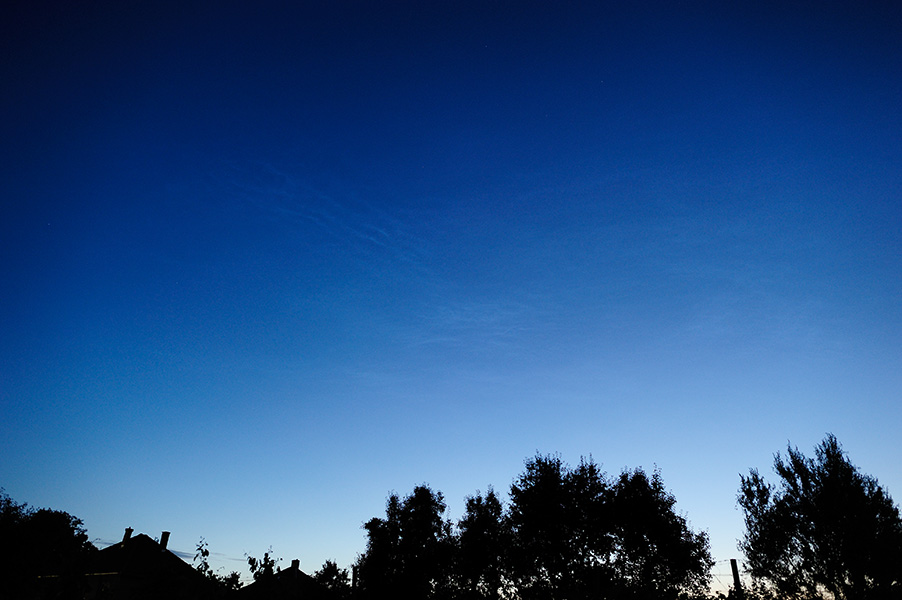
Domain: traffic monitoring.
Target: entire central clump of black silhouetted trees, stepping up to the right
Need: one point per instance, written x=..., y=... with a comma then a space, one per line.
x=568, y=533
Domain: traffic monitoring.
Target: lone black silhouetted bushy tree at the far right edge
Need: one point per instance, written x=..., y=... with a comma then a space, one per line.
x=826, y=531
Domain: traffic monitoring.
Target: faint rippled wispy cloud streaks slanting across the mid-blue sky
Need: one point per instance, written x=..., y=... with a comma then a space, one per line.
x=388, y=242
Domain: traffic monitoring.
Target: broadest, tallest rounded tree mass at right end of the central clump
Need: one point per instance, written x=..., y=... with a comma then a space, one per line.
x=577, y=534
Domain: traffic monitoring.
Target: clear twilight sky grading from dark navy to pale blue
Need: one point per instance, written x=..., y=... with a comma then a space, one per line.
x=265, y=263
